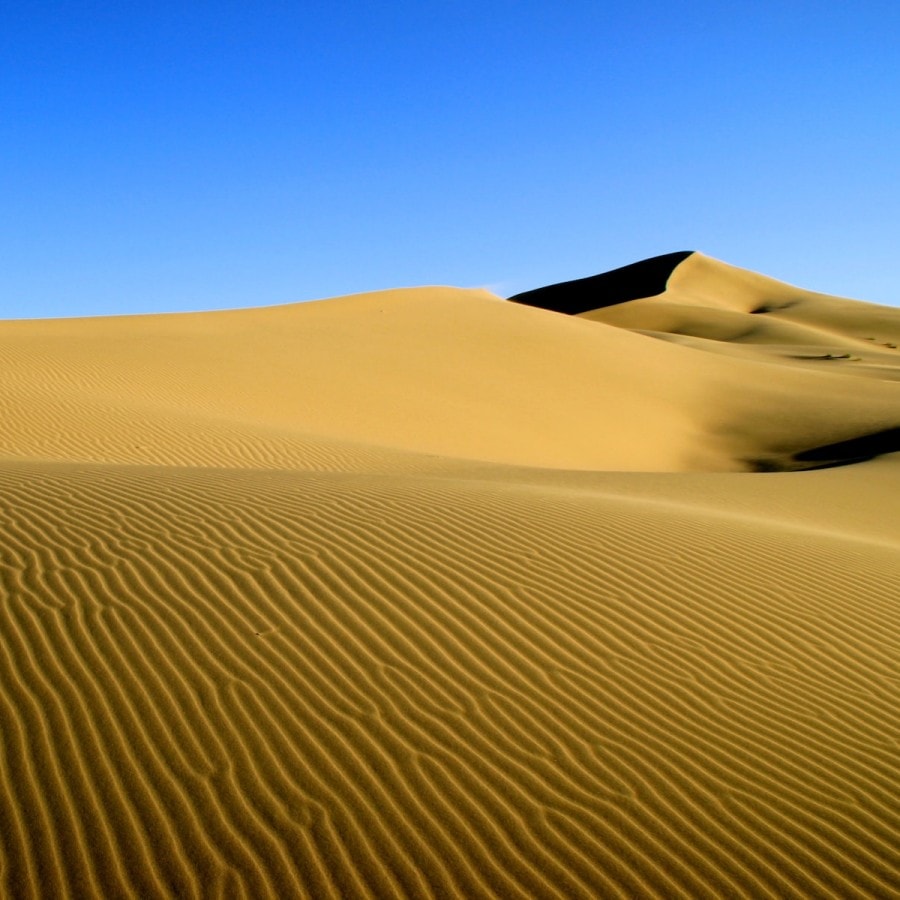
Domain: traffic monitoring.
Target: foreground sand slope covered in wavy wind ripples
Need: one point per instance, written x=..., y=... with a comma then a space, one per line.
x=282, y=684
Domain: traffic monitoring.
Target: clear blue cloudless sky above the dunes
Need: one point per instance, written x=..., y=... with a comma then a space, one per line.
x=197, y=155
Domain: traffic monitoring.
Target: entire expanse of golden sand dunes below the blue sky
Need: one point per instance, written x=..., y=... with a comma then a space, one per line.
x=424, y=593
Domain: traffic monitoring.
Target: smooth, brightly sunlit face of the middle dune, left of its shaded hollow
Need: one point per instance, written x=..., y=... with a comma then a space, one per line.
x=440, y=371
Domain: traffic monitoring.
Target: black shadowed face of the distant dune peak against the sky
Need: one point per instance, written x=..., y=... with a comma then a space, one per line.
x=641, y=279
